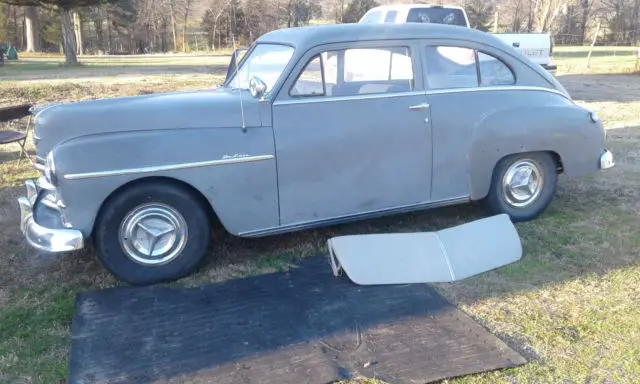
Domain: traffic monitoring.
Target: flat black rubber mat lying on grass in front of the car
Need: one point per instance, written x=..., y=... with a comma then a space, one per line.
x=302, y=326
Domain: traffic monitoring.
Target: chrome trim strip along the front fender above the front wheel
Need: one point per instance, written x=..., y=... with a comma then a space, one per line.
x=168, y=167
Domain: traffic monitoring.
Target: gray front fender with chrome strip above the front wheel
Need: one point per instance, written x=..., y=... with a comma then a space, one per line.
x=234, y=170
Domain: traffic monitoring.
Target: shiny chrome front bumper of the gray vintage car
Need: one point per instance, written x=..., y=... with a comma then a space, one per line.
x=40, y=237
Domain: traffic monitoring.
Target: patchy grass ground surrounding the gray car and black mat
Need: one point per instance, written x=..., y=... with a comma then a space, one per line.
x=571, y=305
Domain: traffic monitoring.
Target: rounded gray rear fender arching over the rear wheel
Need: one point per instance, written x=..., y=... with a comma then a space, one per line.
x=566, y=130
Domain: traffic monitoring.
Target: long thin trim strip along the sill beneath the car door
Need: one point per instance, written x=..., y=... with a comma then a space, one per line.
x=355, y=217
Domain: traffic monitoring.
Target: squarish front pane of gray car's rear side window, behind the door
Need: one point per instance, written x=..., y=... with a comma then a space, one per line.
x=450, y=67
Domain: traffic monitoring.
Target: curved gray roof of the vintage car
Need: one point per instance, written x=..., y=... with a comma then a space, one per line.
x=309, y=36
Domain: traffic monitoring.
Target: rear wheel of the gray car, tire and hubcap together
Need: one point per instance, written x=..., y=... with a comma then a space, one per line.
x=522, y=186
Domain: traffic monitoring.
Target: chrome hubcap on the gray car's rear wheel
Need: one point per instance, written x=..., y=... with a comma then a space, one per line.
x=522, y=183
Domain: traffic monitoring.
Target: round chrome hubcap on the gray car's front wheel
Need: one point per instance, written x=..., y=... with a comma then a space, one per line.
x=153, y=234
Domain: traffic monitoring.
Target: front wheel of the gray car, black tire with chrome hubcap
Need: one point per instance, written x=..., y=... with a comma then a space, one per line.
x=152, y=233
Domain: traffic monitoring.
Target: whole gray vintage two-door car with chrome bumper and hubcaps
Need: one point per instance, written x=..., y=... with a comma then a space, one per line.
x=318, y=125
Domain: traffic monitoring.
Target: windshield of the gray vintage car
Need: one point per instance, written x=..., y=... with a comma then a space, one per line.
x=266, y=61
